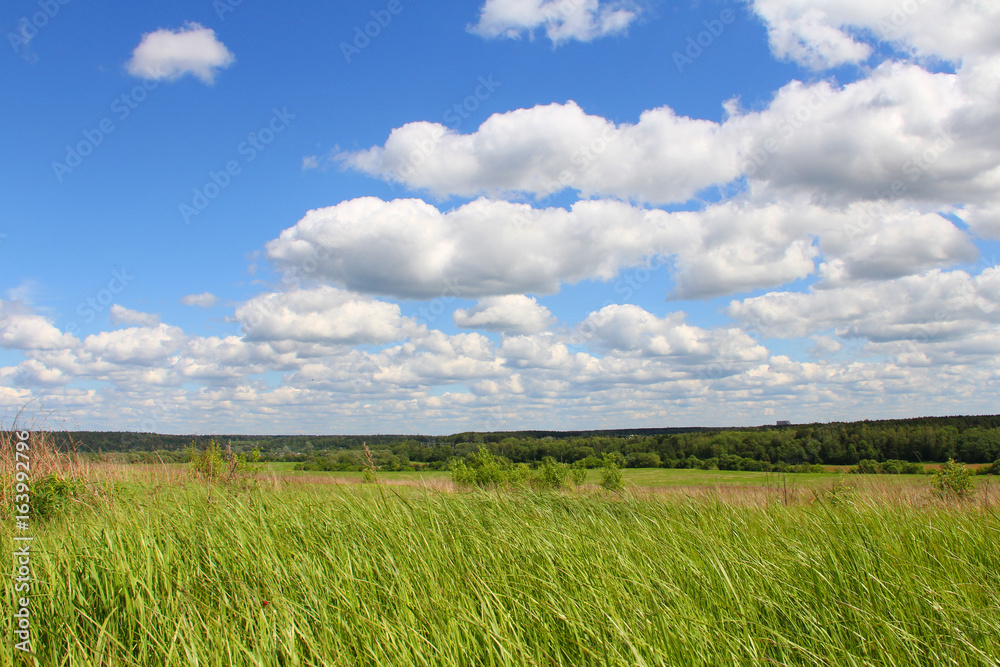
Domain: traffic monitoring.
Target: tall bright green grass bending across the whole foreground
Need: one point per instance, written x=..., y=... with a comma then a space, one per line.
x=178, y=574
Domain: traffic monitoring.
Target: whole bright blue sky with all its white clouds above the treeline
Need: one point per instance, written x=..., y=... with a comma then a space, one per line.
x=411, y=216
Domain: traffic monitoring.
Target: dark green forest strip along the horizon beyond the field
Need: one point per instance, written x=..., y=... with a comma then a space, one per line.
x=926, y=439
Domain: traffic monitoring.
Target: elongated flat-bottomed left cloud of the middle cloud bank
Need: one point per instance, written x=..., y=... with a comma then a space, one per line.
x=407, y=248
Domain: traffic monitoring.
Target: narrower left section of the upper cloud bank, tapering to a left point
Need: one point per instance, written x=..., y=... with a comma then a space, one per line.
x=546, y=149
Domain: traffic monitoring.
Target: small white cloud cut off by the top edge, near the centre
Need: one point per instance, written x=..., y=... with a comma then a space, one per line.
x=562, y=20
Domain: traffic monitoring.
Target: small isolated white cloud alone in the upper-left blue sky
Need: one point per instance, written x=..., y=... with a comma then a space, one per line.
x=170, y=54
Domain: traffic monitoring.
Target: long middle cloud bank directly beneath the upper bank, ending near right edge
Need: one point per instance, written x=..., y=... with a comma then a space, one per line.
x=410, y=249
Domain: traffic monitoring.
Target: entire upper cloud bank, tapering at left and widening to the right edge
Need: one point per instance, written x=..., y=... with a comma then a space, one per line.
x=902, y=133
